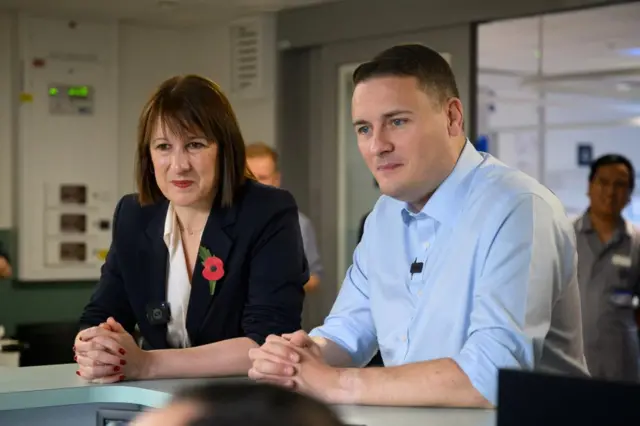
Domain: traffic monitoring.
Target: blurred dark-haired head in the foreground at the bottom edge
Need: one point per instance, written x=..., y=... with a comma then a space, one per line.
x=240, y=404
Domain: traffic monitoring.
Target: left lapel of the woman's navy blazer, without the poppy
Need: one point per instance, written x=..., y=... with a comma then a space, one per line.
x=153, y=263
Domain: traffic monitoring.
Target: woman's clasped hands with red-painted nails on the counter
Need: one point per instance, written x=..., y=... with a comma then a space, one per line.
x=108, y=353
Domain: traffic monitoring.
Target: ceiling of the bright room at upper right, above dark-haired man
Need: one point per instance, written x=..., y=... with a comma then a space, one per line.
x=593, y=52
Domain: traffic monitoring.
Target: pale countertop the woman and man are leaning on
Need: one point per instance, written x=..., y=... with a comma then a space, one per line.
x=47, y=386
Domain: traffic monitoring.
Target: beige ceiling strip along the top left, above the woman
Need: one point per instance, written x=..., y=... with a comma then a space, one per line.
x=156, y=12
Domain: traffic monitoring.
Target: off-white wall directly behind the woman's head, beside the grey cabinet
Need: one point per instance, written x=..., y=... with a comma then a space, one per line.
x=147, y=56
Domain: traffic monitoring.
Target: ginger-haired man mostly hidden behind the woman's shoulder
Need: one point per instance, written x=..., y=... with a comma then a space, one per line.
x=263, y=163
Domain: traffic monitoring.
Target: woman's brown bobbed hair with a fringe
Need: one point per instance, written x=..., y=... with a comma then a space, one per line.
x=192, y=105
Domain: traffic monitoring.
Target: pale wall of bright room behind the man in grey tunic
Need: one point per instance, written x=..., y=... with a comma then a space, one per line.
x=569, y=120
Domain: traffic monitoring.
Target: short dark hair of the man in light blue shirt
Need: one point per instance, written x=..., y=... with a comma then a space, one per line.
x=431, y=70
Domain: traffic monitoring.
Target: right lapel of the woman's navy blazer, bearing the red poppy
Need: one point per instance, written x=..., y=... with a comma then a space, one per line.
x=217, y=238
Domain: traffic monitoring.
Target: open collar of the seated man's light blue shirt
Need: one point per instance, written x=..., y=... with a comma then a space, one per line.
x=444, y=205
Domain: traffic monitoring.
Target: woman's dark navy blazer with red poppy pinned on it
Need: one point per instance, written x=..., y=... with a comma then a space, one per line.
x=259, y=242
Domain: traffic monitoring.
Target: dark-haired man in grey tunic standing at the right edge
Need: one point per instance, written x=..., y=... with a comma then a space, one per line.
x=609, y=272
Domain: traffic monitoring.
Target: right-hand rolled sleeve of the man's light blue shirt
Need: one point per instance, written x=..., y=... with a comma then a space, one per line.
x=523, y=273
